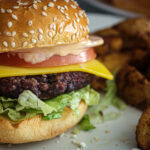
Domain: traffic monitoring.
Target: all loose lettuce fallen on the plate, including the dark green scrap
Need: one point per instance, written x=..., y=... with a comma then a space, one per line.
x=100, y=112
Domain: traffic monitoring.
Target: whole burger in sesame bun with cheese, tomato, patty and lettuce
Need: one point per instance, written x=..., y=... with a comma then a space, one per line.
x=46, y=65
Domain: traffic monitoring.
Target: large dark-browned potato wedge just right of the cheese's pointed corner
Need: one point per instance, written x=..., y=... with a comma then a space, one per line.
x=133, y=87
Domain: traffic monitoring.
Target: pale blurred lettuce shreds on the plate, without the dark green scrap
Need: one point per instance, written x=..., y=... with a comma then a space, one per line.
x=110, y=99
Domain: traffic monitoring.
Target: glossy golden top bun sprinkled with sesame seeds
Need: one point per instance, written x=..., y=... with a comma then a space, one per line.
x=40, y=23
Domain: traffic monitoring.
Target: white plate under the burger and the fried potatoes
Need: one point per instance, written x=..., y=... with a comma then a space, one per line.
x=121, y=134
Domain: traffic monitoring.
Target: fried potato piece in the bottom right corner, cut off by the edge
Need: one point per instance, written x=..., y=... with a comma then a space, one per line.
x=143, y=130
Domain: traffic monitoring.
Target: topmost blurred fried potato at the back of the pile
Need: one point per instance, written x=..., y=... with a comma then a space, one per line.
x=136, y=31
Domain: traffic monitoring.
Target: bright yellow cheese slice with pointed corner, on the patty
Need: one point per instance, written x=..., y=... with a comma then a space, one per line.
x=93, y=67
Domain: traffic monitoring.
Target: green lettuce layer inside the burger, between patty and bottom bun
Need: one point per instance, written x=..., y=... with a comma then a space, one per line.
x=28, y=104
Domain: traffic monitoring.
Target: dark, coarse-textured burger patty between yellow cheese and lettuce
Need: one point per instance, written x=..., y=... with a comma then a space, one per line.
x=45, y=86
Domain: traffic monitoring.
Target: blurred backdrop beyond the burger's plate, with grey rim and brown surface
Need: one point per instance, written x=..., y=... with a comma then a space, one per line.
x=125, y=8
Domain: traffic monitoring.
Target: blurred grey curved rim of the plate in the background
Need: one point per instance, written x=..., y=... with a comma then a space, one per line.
x=104, y=6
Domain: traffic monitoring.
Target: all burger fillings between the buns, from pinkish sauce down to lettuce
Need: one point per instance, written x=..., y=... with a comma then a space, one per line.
x=32, y=85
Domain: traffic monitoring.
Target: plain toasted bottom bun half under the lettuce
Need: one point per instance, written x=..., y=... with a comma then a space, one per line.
x=36, y=129
